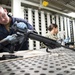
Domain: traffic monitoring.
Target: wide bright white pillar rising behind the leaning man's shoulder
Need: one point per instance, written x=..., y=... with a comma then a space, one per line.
x=17, y=10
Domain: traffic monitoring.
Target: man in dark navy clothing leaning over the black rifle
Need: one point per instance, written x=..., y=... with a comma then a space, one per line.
x=6, y=21
